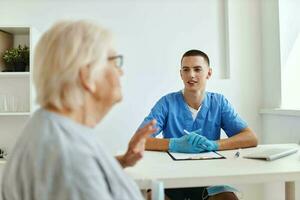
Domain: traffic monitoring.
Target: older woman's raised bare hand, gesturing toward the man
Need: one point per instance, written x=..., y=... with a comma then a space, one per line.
x=136, y=145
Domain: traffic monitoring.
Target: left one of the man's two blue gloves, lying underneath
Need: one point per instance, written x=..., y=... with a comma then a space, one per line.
x=183, y=145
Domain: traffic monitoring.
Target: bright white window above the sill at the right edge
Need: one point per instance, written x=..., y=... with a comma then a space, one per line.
x=290, y=50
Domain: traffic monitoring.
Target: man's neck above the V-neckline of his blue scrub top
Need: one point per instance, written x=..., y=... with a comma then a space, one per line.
x=193, y=98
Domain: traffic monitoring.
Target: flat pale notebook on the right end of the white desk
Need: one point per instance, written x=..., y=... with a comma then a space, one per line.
x=271, y=153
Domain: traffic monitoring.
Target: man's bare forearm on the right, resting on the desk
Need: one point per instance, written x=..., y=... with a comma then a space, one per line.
x=246, y=138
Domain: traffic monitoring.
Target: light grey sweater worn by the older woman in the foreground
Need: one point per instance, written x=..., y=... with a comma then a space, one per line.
x=56, y=158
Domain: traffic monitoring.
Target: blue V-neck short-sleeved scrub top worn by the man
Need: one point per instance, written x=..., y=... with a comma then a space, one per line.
x=173, y=116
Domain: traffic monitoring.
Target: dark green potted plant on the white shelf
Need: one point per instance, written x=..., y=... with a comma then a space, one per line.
x=16, y=59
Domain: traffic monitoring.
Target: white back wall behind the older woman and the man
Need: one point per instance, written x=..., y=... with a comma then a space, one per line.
x=152, y=35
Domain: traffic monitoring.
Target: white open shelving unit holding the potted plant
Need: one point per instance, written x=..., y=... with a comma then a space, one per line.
x=15, y=87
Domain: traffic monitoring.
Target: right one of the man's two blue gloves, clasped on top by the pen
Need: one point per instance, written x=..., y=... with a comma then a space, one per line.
x=203, y=142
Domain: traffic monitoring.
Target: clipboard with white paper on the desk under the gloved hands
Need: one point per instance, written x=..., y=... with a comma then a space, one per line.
x=195, y=156
